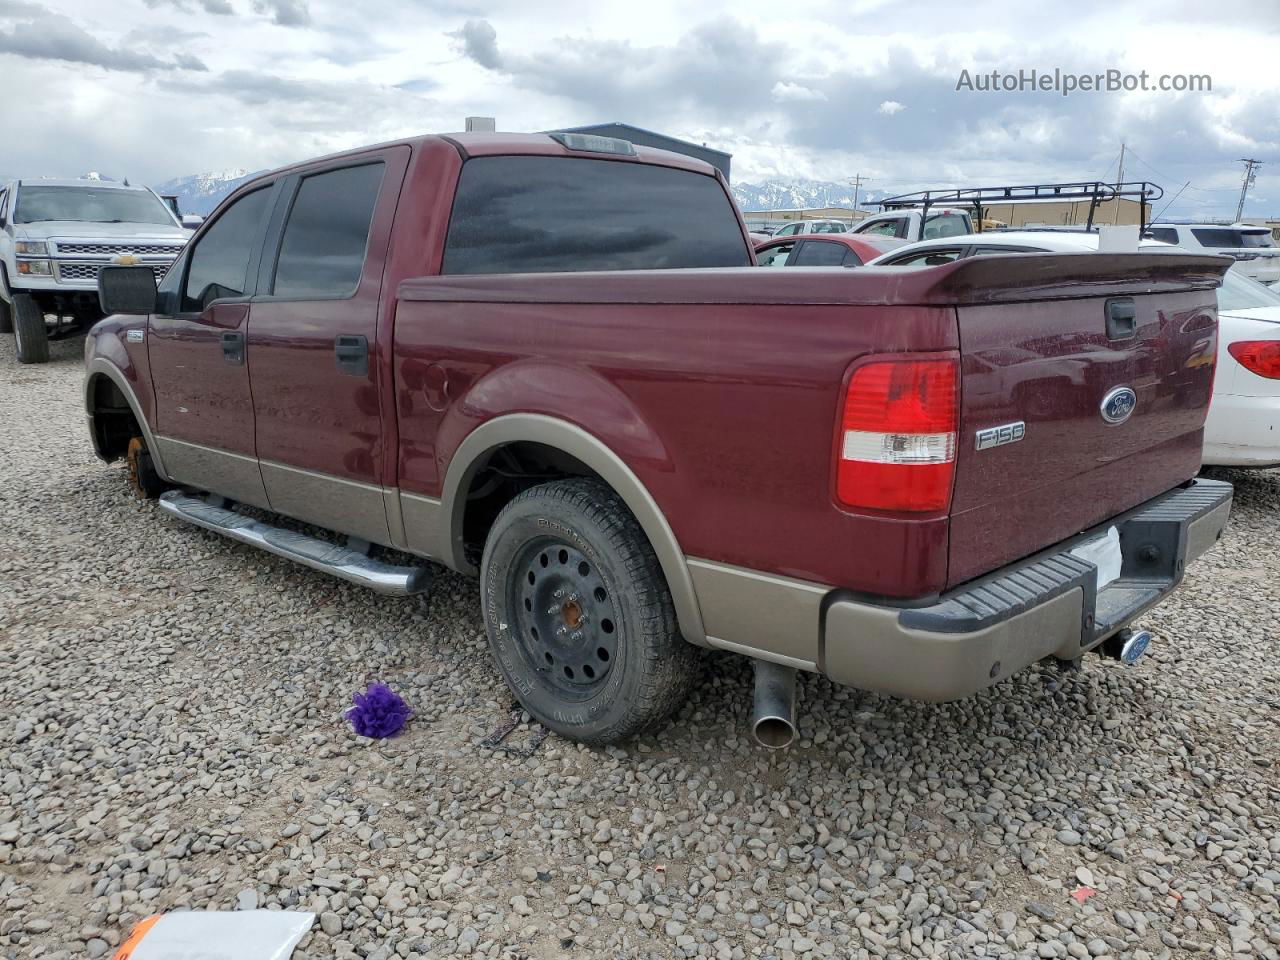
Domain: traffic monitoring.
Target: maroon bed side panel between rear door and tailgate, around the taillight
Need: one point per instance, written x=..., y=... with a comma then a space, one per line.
x=725, y=413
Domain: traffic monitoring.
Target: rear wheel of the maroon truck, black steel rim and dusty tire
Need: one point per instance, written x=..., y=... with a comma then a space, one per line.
x=610, y=661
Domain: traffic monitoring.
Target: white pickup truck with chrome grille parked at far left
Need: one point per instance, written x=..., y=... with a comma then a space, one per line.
x=54, y=239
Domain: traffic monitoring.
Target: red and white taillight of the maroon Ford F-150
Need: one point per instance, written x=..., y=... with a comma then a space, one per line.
x=898, y=436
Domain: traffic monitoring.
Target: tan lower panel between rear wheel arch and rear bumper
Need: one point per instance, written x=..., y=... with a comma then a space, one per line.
x=762, y=615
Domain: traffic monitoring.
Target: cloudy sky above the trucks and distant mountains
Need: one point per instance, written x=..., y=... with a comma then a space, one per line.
x=157, y=89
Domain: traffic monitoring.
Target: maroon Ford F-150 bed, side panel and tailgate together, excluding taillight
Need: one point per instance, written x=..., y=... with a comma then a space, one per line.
x=730, y=396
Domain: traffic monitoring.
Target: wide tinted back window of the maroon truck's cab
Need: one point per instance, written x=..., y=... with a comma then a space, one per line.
x=538, y=214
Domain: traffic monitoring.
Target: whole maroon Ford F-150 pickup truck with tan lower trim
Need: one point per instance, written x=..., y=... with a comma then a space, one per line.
x=550, y=362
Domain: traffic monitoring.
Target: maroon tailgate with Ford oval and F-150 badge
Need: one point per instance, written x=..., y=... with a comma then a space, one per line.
x=1043, y=362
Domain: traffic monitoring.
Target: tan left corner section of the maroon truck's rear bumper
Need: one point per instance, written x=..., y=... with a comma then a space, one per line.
x=866, y=647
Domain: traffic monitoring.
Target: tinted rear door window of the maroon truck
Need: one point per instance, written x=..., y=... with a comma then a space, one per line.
x=323, y=250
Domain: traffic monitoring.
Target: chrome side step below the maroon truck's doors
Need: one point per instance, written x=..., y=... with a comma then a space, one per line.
x=310, y=551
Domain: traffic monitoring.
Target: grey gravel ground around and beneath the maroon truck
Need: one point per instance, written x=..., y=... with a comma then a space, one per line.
x=173, y=737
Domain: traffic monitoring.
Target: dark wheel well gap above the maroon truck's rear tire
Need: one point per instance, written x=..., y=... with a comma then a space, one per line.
x=501, y=477
